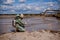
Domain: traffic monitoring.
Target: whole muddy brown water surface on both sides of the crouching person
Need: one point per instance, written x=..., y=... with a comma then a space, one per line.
x=32, y=24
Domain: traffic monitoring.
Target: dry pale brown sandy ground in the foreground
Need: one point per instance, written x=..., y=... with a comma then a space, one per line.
x=36, y=35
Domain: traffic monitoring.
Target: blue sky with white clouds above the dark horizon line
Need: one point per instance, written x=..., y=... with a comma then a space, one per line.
x=27, y=6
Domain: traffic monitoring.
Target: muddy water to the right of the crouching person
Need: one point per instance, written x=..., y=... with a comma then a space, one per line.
x=48, y=23
